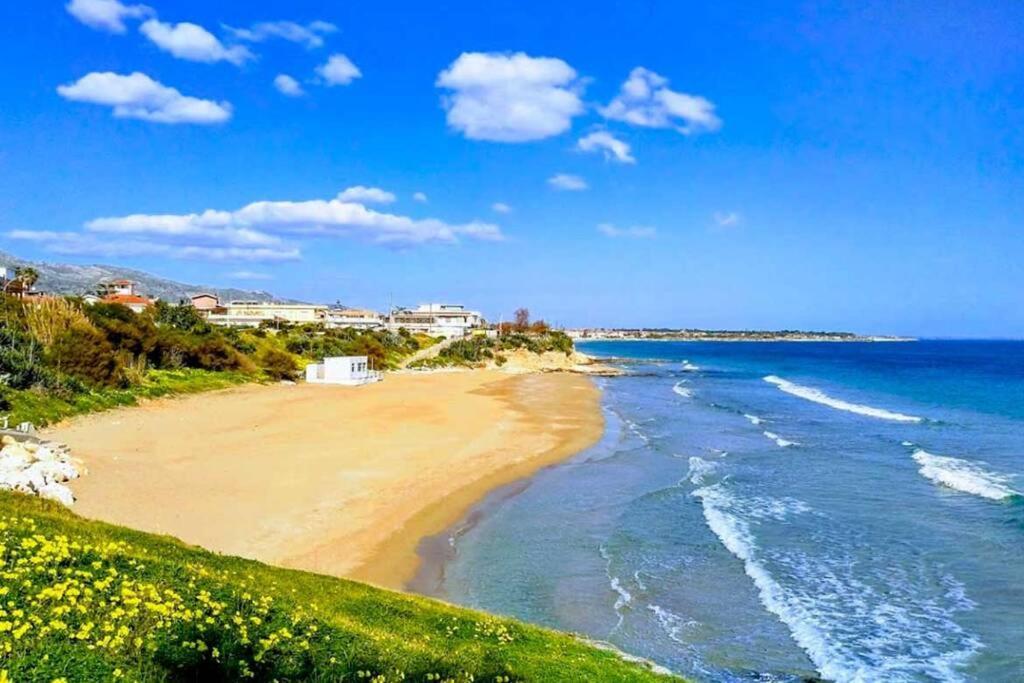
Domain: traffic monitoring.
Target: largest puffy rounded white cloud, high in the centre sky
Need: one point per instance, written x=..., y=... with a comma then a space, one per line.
x=510, y=98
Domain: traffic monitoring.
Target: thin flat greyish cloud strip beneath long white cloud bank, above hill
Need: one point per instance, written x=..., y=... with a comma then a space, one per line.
x=94, y=245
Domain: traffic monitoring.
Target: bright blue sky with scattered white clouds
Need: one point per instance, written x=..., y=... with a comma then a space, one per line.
x=842, y=165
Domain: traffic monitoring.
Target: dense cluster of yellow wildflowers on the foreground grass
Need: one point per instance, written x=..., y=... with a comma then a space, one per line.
x=53, y=587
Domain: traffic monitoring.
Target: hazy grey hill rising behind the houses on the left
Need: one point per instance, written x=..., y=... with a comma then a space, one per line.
x=78, y=280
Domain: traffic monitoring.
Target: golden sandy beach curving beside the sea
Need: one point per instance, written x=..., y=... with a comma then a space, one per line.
x=339, y=481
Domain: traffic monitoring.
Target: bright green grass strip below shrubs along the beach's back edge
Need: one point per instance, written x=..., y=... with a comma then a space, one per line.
x=41, y=408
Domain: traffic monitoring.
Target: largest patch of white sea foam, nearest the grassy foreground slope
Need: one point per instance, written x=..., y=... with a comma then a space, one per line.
x=850, y=631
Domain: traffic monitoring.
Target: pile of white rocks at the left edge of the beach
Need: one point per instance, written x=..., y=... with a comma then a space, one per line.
x=37, y=468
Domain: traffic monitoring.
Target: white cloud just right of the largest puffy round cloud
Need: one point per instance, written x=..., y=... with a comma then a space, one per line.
x=646, y=101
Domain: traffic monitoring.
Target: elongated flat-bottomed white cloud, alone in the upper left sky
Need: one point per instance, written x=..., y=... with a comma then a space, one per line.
x=139, y=97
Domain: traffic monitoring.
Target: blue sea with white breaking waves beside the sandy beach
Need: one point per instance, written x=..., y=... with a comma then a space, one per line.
x=856, y=518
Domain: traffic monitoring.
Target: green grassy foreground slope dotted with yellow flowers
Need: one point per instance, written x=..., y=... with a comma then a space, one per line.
x=87, y=602
